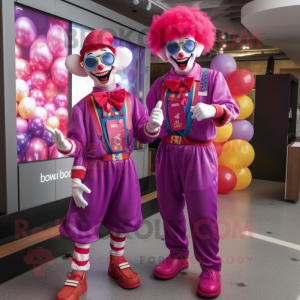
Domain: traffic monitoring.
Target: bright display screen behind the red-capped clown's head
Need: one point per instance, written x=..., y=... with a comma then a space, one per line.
x=131, y=78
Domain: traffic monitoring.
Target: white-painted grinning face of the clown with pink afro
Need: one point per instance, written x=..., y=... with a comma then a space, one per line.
x=182, y=61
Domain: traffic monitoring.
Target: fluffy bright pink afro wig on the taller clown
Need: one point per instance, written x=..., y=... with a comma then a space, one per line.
x=178, y=22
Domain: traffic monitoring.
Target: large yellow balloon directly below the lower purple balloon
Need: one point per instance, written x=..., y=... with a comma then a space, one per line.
x=236, y=154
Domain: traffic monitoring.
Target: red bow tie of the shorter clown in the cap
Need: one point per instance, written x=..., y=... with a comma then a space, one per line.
x=106, y=100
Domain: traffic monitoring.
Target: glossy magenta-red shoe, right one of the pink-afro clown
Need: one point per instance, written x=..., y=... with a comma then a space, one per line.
x=210, y=283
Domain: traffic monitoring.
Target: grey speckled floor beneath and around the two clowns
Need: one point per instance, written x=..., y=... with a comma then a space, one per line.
x=252, y=268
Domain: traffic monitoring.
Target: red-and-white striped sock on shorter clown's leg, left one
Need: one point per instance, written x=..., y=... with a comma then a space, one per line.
x=80, y=261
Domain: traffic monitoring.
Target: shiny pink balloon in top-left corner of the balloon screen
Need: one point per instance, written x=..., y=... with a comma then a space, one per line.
x=25, y=32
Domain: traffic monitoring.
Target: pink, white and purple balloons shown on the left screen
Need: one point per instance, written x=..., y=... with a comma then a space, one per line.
x=41, y=85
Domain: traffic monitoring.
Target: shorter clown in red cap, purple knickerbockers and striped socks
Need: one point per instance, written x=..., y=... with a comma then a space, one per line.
x=105, y=185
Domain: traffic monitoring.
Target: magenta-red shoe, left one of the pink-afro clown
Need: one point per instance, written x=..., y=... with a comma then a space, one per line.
x=170, y=267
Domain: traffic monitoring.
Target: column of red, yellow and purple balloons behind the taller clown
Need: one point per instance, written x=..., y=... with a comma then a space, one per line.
x=232, y=140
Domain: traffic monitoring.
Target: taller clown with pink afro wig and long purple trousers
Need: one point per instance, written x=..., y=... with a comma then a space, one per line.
x=194, y=101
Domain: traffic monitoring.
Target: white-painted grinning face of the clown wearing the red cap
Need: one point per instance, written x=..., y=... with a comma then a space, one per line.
x=102, y=75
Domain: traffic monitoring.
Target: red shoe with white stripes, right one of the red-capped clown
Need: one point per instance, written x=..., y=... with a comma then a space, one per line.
x=120, y=270
